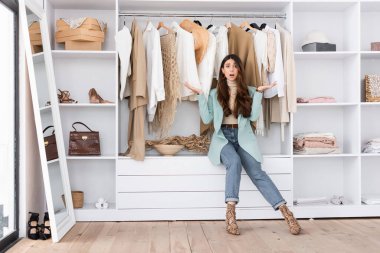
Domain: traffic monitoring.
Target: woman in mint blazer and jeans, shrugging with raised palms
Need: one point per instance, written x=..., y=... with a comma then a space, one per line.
x=232, y=106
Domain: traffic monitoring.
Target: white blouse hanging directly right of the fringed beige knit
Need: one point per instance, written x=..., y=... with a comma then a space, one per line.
x=187, y=67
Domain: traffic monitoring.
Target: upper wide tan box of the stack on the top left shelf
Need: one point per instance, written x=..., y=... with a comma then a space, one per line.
x=79, y=34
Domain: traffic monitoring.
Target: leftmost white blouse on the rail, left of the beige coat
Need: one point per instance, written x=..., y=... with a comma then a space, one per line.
x=123, y=41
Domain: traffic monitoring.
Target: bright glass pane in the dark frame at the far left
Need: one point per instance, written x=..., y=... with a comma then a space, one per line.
x=6, y=111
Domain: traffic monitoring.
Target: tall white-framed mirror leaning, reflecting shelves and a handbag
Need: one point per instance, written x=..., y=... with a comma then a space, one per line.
x=47, y=119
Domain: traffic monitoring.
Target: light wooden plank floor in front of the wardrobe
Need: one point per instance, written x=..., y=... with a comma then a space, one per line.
x=340, y=235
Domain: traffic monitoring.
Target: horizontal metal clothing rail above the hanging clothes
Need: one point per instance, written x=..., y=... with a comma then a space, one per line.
x=251, y=15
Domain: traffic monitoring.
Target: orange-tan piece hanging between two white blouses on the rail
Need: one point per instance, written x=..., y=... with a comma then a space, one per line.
x=200, y=38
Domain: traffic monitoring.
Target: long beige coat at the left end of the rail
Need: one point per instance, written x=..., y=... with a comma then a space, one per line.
x=138, y=98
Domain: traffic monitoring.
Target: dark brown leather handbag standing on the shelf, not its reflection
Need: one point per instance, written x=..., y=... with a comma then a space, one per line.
x=84, y=143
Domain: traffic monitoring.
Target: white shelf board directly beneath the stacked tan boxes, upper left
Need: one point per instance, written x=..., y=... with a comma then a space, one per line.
x=83, y=54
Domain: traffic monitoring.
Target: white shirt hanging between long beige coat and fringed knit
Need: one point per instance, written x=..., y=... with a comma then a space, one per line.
x=155, y=73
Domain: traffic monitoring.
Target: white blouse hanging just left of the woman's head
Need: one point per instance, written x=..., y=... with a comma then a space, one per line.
x=206, y=66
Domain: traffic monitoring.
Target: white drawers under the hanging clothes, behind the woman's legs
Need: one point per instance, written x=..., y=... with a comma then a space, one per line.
x=174, y=183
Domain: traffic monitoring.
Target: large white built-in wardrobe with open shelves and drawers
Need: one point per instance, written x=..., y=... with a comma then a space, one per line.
x=187, y=186
